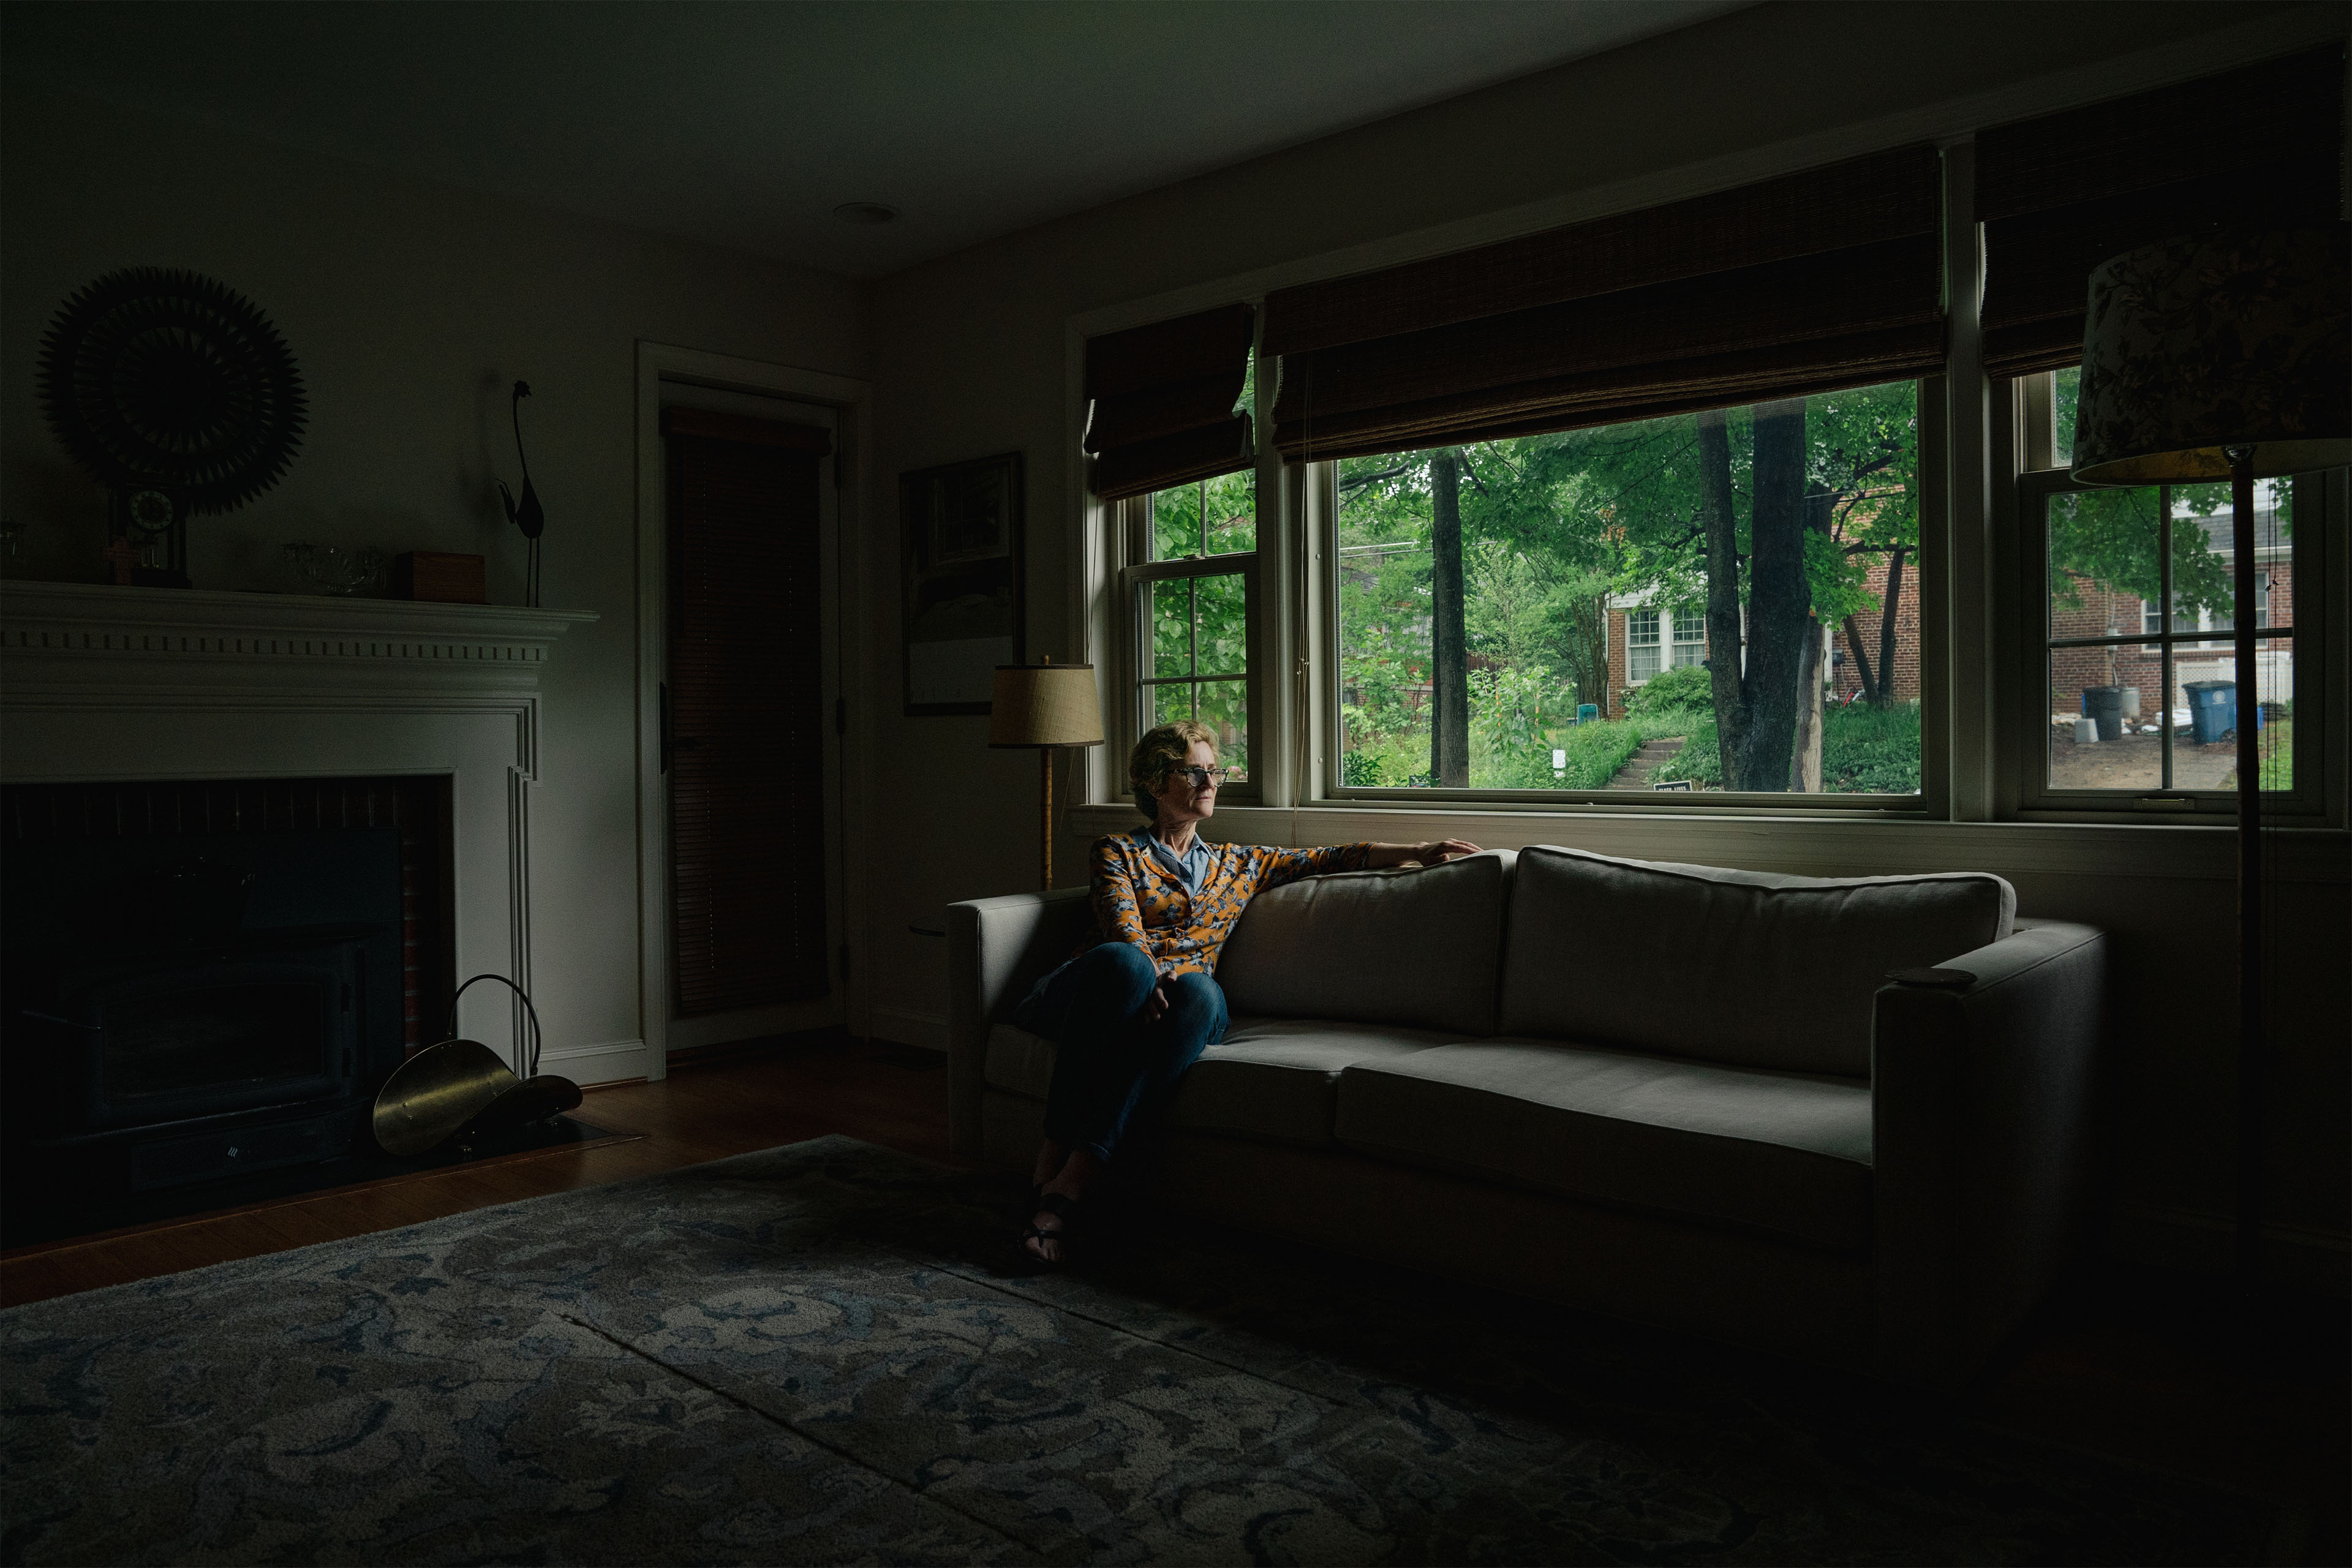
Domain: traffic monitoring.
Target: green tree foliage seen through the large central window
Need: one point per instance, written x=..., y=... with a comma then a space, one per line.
x=1556, y=525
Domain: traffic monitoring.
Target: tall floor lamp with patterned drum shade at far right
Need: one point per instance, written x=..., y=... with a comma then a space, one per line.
x=2226, y=359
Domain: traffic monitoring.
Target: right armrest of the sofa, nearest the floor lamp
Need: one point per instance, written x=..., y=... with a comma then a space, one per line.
x=1982, y=1144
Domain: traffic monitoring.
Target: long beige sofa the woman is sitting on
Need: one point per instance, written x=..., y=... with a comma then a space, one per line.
x=1662, y=1092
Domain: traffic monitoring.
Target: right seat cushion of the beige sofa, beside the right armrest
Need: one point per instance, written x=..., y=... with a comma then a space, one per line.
x=1784, y=1153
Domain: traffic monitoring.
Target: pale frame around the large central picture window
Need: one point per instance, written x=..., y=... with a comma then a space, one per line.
x=1932, y=803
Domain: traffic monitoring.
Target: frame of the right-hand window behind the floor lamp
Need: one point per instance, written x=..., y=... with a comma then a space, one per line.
x=2308, y=803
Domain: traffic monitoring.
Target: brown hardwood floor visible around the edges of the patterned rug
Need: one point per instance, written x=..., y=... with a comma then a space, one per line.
x=2151, y=1369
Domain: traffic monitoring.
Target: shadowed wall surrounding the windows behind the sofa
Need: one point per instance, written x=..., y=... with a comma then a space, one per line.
x=973, y=359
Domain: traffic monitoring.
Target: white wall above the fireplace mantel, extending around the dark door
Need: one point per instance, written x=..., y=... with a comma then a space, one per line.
x=410, y=311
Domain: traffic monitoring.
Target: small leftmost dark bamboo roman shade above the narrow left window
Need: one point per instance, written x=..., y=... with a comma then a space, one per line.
x=1163, y=403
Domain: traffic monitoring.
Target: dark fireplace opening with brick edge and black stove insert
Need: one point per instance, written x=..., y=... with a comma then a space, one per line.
x=203, y=981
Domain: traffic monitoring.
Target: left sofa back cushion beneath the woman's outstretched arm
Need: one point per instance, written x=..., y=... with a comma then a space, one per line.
x=1410, y=949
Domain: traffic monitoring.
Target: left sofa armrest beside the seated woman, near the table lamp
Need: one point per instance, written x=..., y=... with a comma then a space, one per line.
x=996, y=953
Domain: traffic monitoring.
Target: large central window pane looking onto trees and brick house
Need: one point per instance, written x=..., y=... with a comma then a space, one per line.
x=1711, y=603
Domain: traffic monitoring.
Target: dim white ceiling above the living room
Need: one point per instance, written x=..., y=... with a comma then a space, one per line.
x=747, y=123
